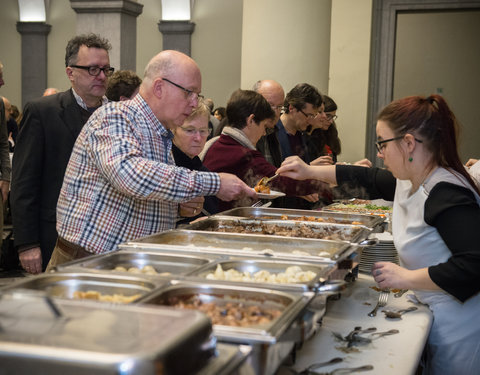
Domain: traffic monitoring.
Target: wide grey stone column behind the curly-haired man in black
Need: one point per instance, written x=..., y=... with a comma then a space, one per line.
x=115, y=20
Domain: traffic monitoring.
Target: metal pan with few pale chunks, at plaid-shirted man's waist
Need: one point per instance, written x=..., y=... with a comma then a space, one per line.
x=163, y=263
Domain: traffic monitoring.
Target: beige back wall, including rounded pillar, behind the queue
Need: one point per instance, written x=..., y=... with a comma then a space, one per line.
x=237, y=42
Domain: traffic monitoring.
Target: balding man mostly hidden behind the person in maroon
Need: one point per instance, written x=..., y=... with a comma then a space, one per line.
x=268, y=145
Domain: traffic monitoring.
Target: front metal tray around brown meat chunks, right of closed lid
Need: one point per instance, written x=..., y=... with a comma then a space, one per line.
x=271, y=342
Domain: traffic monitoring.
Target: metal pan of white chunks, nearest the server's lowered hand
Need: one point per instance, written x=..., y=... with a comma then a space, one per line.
x=245, y=269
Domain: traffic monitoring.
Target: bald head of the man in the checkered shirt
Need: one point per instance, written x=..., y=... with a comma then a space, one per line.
x=171, y=86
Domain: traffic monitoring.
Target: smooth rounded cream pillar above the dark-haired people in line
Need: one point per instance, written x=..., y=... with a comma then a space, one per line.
x=287, y=43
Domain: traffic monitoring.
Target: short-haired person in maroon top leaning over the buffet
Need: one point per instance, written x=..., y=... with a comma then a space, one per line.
x=234, y=151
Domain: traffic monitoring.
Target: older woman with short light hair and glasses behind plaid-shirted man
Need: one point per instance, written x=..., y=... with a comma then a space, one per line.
x=188, y=141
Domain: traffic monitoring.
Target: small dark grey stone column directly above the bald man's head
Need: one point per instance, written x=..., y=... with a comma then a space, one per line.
x=177, y=35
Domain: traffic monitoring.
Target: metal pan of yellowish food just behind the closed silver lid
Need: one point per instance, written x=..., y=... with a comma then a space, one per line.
x=66, y=285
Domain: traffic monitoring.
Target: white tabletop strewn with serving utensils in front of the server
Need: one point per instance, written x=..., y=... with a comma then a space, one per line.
x=395, y=354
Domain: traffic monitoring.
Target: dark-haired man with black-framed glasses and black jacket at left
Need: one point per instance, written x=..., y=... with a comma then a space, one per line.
x=48, y=131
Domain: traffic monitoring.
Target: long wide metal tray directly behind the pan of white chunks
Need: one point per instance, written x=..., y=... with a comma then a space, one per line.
x=243, y=244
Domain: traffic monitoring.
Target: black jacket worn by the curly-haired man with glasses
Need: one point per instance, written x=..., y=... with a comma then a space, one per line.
x=48, y=130
